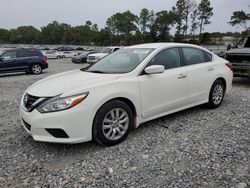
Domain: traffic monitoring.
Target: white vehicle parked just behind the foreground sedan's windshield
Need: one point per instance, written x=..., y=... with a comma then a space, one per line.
x=93, y=58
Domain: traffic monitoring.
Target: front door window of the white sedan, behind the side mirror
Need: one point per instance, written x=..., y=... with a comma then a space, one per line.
x=169, y=58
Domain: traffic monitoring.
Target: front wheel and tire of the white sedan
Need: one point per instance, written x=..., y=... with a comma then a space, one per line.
x=106, y=123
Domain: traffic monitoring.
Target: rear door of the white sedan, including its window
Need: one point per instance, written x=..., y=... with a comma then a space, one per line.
x=199, y=73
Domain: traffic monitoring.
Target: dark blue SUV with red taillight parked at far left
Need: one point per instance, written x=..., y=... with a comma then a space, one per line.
x=18, y=60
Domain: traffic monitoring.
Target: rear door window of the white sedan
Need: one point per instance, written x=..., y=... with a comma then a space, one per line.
x=193, y=56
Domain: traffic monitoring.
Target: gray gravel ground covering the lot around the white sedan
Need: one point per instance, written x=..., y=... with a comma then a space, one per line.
x=193, y=148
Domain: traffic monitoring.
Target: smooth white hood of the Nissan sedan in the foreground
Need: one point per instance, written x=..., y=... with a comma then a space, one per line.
x=68, y=82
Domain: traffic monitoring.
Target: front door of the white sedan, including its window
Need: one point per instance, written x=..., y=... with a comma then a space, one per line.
x=167, y=91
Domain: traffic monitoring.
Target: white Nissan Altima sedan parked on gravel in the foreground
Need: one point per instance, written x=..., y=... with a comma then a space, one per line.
x=131, y=86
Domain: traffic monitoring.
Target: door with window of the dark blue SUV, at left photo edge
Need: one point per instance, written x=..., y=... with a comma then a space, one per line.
x=8, y=61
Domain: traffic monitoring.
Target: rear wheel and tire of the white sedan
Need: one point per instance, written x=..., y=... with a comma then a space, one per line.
x=216, y=94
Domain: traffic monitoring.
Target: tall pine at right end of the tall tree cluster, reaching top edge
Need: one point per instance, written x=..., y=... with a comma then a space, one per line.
x=205, y=12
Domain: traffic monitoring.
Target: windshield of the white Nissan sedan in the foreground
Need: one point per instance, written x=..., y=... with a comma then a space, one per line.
x=122, y=61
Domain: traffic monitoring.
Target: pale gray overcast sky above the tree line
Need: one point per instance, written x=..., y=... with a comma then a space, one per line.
x=14, y=13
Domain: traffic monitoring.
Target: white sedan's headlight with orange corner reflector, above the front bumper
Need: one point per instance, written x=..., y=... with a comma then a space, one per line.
x=57, y=104
